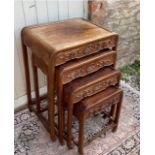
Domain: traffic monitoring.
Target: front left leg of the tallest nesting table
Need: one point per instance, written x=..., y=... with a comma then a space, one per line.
x=50, y=88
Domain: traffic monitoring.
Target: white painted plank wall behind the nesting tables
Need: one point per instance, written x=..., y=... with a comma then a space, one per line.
x=29, y=12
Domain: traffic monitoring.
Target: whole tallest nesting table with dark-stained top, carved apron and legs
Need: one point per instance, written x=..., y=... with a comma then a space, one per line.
x=55, y=44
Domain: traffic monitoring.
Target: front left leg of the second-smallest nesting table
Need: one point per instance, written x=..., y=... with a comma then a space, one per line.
x=69, y=124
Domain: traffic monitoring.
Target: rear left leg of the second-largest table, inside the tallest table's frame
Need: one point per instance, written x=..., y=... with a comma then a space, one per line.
x=36, y=87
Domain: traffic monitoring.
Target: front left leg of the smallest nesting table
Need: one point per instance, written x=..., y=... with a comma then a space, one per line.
x=81, y=135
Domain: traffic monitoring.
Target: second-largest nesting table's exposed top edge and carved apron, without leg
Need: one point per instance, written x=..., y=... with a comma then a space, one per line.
x=85, y=66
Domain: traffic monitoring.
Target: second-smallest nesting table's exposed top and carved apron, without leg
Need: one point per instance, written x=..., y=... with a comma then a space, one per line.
x=91, y=84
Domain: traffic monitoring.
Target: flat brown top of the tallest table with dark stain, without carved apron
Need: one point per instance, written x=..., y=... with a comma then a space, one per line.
x=64, y=34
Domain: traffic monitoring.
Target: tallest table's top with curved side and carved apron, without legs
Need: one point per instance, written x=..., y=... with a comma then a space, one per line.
x=68, y=39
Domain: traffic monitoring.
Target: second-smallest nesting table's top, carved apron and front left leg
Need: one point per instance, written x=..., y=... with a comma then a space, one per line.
x=84, y=87
